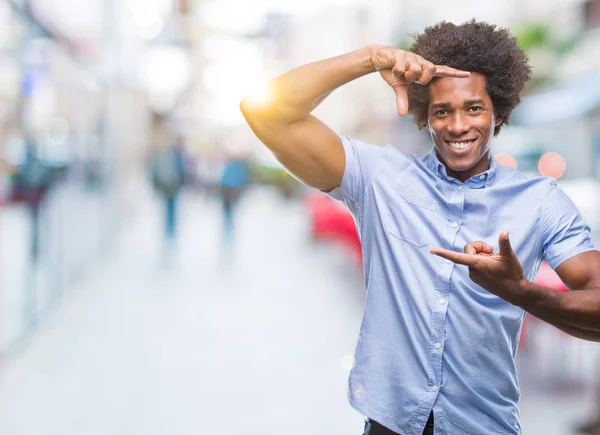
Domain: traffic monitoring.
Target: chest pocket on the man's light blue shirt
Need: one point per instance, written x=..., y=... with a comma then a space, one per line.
x=408, y=215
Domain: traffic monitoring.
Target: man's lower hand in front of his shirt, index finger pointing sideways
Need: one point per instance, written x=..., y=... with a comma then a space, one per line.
x=501, y=274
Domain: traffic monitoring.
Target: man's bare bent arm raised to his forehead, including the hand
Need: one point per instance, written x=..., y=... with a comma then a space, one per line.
x=280, y=115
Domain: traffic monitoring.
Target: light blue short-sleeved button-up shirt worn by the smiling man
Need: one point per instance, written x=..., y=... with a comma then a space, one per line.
x=430, y=338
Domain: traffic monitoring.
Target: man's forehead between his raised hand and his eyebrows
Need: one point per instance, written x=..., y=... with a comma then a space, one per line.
x=456, y=90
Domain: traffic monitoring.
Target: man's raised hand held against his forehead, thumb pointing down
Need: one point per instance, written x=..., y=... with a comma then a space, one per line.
x=399, y=68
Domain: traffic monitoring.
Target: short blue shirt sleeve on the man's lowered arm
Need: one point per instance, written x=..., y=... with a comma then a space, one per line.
x=564, y=231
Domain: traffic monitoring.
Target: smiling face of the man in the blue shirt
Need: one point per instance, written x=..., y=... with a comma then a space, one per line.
x=461, y=123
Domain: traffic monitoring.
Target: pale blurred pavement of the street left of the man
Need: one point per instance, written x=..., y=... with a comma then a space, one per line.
x=197, y=348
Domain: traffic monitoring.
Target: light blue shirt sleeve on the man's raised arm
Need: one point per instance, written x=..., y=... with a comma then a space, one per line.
x=362, y=159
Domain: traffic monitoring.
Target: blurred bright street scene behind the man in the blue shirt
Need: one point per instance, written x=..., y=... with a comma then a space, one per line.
x=159, y=271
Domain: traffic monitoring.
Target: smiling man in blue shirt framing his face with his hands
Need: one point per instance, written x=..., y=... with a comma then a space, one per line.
x=439, y=332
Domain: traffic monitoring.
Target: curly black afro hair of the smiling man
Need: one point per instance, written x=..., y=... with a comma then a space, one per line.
x=477, y=47
